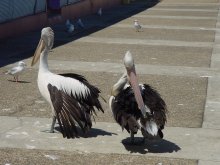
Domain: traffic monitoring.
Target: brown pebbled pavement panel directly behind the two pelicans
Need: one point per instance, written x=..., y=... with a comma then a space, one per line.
x=179, y=91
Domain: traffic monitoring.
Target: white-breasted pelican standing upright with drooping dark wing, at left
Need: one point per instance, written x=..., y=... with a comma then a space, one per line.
x=72, y=98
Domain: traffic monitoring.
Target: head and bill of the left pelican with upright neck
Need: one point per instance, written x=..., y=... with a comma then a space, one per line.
x=46, y=42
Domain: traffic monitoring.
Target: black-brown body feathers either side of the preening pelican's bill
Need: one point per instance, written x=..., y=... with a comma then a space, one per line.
x=127, y=113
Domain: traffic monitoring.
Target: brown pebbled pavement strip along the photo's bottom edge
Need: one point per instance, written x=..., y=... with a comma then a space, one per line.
x=13, y=156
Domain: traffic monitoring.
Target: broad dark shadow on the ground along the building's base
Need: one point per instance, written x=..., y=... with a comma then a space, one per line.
x=20, y=47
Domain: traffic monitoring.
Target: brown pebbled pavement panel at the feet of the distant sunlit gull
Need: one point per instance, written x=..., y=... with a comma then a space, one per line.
x=157, y=34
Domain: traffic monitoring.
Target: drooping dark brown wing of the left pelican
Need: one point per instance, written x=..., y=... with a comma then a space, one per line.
x=69, y=112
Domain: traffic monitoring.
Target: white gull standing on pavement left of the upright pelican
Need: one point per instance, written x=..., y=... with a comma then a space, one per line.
x=17, y=70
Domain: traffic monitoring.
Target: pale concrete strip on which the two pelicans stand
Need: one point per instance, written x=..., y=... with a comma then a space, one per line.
x=178, y=142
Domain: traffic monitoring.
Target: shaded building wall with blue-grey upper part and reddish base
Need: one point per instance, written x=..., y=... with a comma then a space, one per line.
x=21, y=16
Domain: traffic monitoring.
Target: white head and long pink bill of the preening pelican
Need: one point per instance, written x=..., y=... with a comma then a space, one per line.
x=130, y=67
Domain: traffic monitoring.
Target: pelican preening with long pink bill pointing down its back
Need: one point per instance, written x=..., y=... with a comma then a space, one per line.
x=137, y=106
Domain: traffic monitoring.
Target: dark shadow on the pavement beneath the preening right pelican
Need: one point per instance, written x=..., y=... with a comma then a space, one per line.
x=162, y=146
